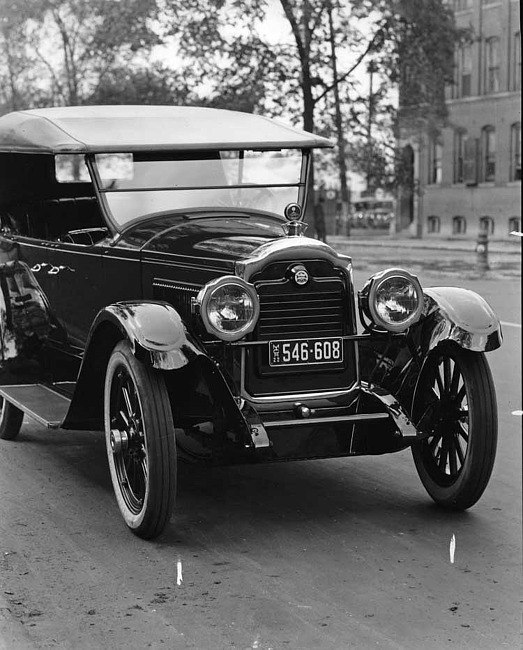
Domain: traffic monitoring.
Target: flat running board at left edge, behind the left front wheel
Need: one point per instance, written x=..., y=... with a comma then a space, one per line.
x=42, y=403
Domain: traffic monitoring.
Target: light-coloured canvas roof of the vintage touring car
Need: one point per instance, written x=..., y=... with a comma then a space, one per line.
x=80, y=129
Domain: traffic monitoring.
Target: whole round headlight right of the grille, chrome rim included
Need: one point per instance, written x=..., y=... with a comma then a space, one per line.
x=392, y=299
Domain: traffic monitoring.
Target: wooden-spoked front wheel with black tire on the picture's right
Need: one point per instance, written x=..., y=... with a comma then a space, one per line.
x=456, y=462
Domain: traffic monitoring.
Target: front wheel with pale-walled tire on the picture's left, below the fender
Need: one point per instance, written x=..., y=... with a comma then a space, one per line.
x=140, y=441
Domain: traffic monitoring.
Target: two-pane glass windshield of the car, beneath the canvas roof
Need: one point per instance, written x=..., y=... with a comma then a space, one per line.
x=139, y=185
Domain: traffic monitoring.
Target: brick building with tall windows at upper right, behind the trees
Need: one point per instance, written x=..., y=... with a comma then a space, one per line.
x=468, y=176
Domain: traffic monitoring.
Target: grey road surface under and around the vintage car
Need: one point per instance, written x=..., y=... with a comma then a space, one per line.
x=319, y=555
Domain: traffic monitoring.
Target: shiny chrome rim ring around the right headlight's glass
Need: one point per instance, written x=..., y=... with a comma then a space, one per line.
x=369, y=294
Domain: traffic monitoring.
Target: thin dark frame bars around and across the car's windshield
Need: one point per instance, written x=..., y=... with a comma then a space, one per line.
x=117, y=228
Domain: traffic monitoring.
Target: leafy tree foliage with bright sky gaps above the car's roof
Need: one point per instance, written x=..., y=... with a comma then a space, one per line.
x=222, y=55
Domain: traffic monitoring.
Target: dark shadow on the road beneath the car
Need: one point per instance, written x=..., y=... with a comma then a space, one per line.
x=358, y=493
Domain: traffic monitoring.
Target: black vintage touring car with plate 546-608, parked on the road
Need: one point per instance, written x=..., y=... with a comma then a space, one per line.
x=156, y=283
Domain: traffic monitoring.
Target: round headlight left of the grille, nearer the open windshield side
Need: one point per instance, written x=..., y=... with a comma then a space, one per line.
x=229, y=308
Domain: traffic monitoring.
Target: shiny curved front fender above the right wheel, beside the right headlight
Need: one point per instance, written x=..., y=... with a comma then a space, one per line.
x=462, y=316
